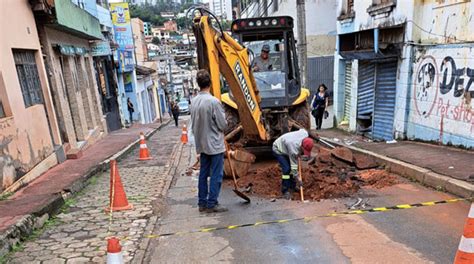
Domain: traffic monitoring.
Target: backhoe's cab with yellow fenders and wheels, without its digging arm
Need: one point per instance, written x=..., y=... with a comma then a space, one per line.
x=282, y=98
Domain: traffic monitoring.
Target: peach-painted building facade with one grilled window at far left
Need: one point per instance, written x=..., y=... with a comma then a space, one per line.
x=30, y=140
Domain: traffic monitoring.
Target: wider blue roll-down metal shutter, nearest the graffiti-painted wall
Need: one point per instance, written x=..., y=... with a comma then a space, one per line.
x=385, y=95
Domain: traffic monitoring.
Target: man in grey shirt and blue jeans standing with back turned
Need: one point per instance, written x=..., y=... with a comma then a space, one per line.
x=208, y=124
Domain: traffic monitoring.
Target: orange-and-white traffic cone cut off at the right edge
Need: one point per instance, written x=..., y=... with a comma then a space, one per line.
x=465, y=252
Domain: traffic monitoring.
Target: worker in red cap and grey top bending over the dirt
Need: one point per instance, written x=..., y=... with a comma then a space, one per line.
x=286, y=149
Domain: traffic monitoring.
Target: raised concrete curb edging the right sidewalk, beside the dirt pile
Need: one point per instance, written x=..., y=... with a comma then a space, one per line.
x=422, y=175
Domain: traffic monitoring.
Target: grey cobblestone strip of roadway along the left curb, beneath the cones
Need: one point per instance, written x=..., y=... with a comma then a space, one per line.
x=78, y=234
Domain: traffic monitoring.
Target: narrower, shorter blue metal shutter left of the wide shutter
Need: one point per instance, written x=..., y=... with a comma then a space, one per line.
x=365, y=93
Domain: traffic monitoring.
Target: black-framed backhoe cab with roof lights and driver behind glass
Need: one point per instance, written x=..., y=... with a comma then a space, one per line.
x=279, y=84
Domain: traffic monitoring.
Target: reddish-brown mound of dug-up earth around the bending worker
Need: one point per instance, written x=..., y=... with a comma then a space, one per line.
x=335, y=173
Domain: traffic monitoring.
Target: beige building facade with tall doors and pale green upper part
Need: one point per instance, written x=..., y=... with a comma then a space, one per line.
x=65, y=36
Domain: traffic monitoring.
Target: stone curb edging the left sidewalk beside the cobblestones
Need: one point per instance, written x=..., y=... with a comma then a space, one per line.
x=28, y=223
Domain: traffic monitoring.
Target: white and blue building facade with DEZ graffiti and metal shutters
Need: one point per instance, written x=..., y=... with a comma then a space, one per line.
x=402, y=70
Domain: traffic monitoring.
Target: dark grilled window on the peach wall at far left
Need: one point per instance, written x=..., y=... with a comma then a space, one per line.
x=28, y=76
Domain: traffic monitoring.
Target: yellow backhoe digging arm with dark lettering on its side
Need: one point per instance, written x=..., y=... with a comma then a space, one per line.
x=220, y=54
